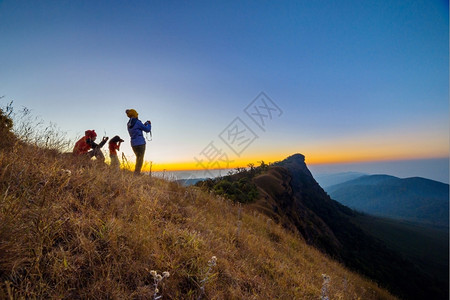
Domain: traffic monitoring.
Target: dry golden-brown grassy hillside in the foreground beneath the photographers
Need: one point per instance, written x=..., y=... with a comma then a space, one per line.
x=69, y=231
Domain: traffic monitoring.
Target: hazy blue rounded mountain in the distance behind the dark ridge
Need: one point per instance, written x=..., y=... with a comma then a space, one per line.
x=414, y=199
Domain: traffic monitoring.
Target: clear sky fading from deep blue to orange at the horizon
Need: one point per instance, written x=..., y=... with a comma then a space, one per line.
x=354, y=81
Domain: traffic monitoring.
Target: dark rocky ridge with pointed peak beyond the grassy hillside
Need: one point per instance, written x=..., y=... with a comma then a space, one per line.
x=288, y=194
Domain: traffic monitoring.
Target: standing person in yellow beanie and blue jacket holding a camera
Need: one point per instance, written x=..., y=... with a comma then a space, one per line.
x=135, y=128
